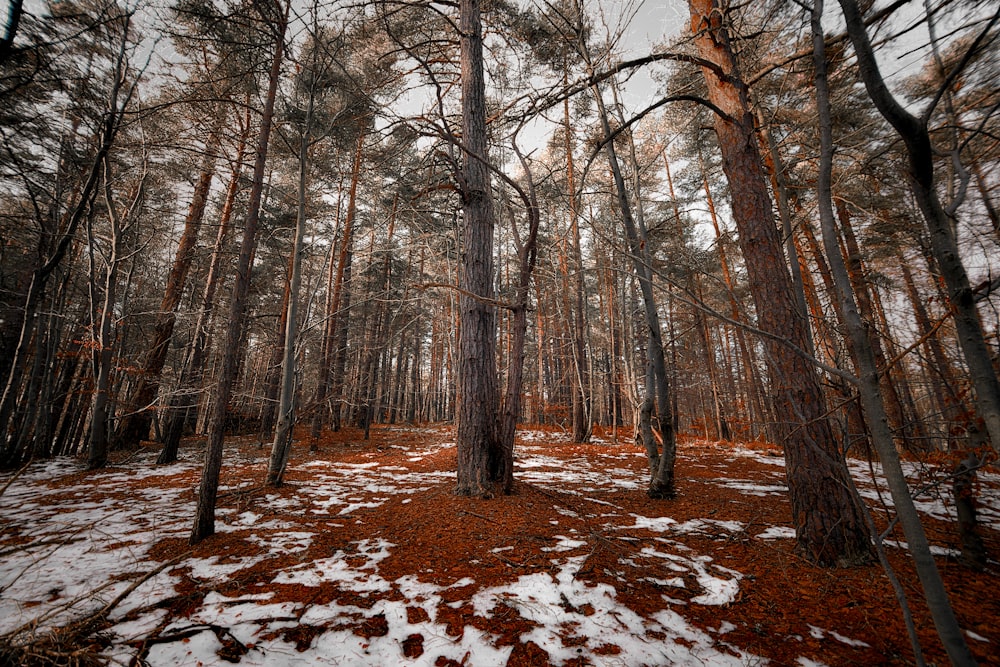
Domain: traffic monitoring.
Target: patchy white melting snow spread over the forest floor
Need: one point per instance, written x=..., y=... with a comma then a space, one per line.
x=71, y=542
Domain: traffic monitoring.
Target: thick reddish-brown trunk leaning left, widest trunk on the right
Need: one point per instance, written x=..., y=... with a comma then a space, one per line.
x=829, y=525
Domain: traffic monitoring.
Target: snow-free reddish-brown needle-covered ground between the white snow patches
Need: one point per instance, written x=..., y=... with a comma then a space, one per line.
x=446, y=538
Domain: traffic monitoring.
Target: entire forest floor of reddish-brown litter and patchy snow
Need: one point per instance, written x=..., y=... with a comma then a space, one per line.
x=365, y=557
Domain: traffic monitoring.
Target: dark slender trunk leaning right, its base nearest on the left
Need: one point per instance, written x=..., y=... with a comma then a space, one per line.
x=204, y=523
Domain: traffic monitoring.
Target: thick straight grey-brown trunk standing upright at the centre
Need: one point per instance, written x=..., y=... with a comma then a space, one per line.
x=479, y=456
